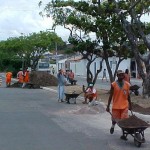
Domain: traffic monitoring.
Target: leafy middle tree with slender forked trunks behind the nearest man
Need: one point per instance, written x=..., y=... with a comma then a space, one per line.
x=86, y=17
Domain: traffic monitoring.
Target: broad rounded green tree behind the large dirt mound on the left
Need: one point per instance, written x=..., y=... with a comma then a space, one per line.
x=32, y=47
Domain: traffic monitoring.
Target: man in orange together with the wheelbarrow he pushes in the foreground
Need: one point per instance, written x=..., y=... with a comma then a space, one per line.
x=121, y=103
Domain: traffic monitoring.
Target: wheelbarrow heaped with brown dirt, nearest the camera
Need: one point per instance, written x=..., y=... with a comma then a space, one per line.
x=133, y=128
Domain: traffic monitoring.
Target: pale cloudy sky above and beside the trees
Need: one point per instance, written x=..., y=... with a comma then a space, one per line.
x=19, y=17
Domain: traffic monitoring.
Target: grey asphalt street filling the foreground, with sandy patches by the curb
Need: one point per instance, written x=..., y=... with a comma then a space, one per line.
x=32, y=119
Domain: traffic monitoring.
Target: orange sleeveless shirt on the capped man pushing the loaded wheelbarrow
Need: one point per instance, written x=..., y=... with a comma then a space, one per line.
x=120, y=95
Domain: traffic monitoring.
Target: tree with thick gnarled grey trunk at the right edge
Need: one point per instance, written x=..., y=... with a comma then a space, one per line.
x=136, y=31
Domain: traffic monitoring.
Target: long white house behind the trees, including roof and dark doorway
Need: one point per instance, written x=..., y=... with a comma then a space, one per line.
x=78, y=65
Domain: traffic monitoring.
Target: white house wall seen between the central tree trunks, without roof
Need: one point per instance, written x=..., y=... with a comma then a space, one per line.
x=79, y=67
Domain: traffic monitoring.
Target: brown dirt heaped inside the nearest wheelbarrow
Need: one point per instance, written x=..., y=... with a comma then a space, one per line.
x=133, y=122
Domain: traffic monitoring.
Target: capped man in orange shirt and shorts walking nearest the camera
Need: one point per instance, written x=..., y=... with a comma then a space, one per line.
x=121, y=103
